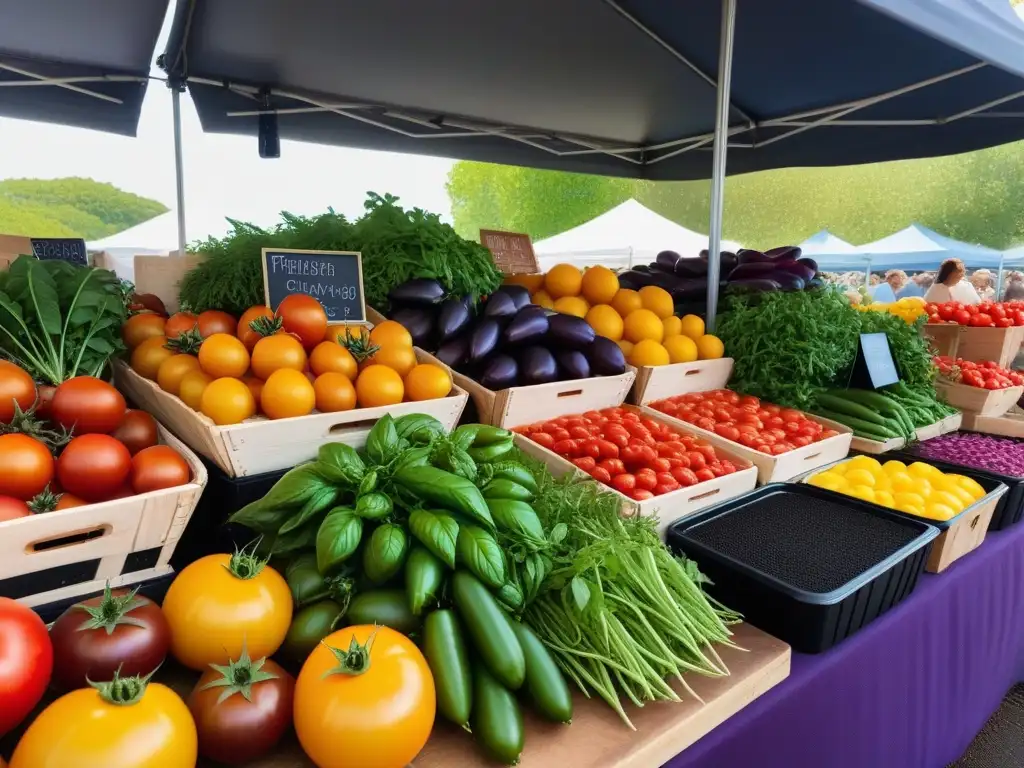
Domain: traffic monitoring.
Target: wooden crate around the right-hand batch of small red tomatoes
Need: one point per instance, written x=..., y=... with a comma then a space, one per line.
x=785, y=466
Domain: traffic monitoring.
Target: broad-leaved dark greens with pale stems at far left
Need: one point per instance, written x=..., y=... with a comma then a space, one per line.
x=59, y=320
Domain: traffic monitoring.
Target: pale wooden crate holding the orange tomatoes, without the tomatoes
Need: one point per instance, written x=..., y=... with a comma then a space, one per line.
x=262, y=445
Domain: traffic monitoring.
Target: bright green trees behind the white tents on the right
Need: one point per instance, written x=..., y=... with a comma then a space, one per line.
x=973, y=197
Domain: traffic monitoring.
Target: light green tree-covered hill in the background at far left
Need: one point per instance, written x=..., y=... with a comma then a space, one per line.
x=71, y=208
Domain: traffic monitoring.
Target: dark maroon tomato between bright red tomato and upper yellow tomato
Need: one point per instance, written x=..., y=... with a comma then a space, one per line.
x=96, y=638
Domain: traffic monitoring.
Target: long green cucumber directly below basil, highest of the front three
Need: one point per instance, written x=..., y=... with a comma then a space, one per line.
x=490, y=630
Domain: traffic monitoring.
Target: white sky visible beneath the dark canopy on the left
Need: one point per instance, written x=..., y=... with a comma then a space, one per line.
x=225, y=176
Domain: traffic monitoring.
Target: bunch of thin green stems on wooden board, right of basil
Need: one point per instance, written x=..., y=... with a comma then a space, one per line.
x=620, y=613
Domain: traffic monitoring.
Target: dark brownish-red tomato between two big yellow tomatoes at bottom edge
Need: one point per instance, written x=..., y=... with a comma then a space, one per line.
x=242, y=710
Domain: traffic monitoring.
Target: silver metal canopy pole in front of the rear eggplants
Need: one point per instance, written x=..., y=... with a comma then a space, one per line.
x=718, y=157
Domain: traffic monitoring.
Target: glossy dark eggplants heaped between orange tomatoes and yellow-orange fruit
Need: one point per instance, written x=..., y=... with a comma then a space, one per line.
x=503, y=342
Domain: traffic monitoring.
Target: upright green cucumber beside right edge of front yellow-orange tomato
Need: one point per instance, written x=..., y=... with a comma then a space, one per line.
x=445, y=648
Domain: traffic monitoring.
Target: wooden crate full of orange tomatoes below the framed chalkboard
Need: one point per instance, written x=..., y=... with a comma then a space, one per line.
x=264, y=392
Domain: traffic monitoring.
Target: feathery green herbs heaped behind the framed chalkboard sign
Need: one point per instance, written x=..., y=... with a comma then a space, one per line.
x=397, y=246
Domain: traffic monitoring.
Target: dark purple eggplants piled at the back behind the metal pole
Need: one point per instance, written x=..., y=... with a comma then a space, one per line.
x=778, y=270
